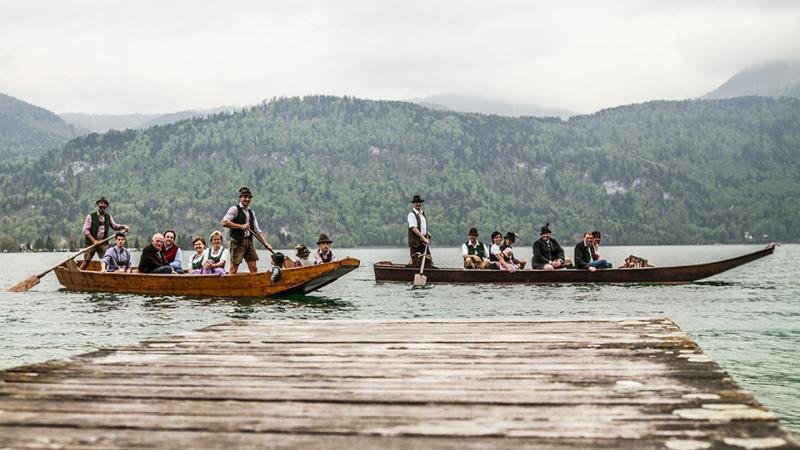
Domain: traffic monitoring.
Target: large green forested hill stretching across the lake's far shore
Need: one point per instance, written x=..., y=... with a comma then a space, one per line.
x=658, y=172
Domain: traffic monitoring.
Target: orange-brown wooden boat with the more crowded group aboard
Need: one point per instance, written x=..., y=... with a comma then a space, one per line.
x=299, y=280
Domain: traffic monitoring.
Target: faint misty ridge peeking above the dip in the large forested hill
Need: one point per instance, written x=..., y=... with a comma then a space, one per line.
x=485, y=105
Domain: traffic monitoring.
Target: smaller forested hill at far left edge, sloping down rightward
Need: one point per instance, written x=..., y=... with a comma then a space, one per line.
x=27, y=130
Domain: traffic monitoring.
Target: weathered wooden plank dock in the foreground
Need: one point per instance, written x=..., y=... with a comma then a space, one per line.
x=629, y=384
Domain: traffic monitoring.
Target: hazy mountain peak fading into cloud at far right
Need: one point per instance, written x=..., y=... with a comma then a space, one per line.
x=771, y=80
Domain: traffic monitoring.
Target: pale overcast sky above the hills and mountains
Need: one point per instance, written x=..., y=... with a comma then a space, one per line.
x=107, y=56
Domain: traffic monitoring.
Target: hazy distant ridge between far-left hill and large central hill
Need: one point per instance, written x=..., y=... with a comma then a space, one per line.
x=100, y=123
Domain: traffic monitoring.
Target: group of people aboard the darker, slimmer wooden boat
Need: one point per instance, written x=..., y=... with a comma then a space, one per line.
x=547, y=252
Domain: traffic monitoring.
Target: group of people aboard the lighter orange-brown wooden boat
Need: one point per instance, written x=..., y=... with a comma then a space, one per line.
x=163, y=256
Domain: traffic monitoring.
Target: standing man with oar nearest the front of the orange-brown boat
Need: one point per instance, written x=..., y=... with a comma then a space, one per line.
x=241, y=220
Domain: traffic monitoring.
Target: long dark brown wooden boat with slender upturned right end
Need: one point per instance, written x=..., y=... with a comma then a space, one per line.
x=387, y=271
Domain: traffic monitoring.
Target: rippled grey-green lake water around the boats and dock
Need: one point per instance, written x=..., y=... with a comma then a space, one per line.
x=748, y=319
